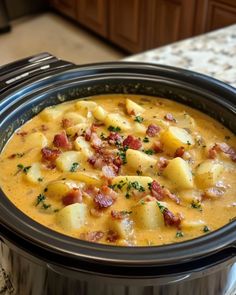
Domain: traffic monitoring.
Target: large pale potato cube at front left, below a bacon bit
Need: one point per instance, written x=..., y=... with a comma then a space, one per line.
x=72, y=217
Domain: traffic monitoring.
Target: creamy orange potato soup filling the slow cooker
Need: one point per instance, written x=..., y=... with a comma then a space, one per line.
x=201, y=209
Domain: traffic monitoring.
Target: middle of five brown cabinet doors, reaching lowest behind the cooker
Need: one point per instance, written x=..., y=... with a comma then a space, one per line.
x=128, y=24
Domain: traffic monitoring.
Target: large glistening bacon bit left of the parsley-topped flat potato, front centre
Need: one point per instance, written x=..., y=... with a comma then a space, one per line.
x=105, y=197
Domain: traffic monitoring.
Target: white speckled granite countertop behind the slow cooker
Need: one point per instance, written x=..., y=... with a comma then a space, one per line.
x=213, y=54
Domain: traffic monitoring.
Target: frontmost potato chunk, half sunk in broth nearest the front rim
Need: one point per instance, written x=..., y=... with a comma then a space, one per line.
x=123, y=227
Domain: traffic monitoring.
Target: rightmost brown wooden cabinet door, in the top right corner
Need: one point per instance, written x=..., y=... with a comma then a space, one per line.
x=214, y=14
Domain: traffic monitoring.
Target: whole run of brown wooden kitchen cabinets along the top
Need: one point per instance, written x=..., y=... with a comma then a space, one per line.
x=138, y=25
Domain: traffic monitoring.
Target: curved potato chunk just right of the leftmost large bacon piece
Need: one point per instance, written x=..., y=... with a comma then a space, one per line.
x=65, y=161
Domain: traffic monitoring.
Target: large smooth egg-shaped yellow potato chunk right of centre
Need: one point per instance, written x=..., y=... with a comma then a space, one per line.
x=179, y=173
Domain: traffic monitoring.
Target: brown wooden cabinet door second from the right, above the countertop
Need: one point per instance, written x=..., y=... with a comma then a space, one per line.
x=172, y=20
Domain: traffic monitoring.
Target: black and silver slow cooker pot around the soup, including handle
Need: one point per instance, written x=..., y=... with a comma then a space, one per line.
x=36, y=260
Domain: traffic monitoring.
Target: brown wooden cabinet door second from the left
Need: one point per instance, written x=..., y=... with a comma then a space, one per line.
x=94, y=15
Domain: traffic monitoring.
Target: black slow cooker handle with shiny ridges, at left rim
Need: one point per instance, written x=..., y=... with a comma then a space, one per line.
x=16, y=72
